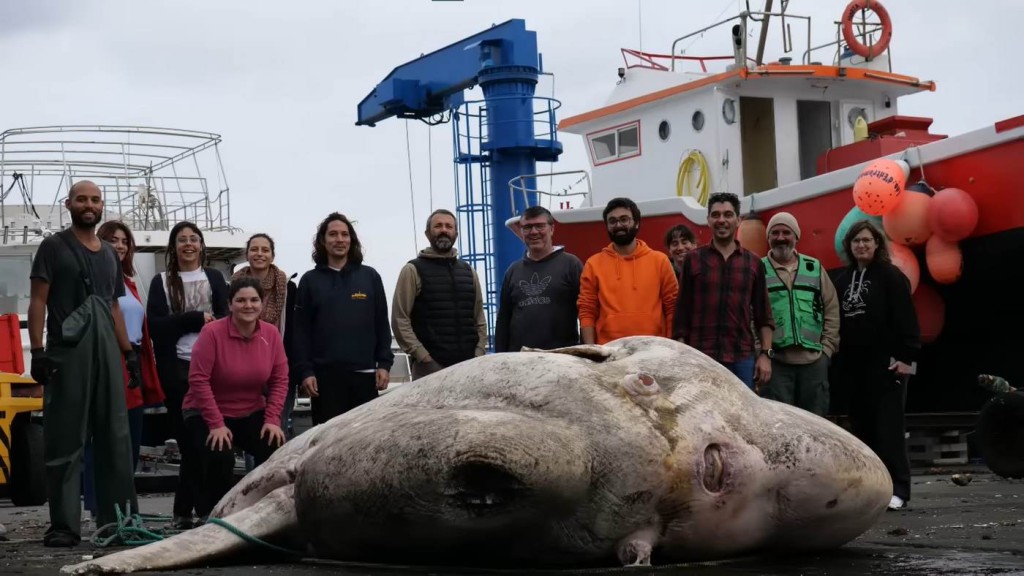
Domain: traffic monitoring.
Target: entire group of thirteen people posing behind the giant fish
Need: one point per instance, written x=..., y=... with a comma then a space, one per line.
x=227, y=359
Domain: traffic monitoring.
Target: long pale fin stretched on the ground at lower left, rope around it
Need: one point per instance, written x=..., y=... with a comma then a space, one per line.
x=270, y=519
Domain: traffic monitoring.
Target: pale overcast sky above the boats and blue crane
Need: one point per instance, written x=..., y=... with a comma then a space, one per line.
x=281, y=81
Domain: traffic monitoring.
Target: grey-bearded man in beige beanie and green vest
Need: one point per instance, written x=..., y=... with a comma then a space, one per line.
x=806, y=310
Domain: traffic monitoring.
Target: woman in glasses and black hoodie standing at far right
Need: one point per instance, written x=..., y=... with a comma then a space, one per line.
x=879, y=342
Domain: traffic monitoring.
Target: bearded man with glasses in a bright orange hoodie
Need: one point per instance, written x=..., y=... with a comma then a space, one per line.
x=627, y=290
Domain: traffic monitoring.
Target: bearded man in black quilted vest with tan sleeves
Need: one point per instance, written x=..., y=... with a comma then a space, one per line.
x=438, y=310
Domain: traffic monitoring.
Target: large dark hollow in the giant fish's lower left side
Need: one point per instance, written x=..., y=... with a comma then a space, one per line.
x=483, y=488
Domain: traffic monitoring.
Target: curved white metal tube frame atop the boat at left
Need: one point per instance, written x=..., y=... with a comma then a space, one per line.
x=151, y=178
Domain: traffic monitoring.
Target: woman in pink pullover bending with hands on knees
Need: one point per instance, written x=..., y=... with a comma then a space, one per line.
x=237, y=386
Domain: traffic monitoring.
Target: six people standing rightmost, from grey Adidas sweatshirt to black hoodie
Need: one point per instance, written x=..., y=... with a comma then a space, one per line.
x=776, y=322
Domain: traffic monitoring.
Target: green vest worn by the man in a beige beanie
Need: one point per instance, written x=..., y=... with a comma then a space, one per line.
x=799, y=312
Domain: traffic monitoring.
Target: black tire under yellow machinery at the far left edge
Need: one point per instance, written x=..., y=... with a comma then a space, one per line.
x=28, y=468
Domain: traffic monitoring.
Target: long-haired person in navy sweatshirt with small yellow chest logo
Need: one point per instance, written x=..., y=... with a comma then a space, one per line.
x=343, y=345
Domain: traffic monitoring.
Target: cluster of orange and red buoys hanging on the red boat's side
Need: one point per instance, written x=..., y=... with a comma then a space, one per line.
x=915, y=219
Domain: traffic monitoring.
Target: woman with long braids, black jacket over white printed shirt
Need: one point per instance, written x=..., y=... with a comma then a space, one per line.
x=182, y=301
